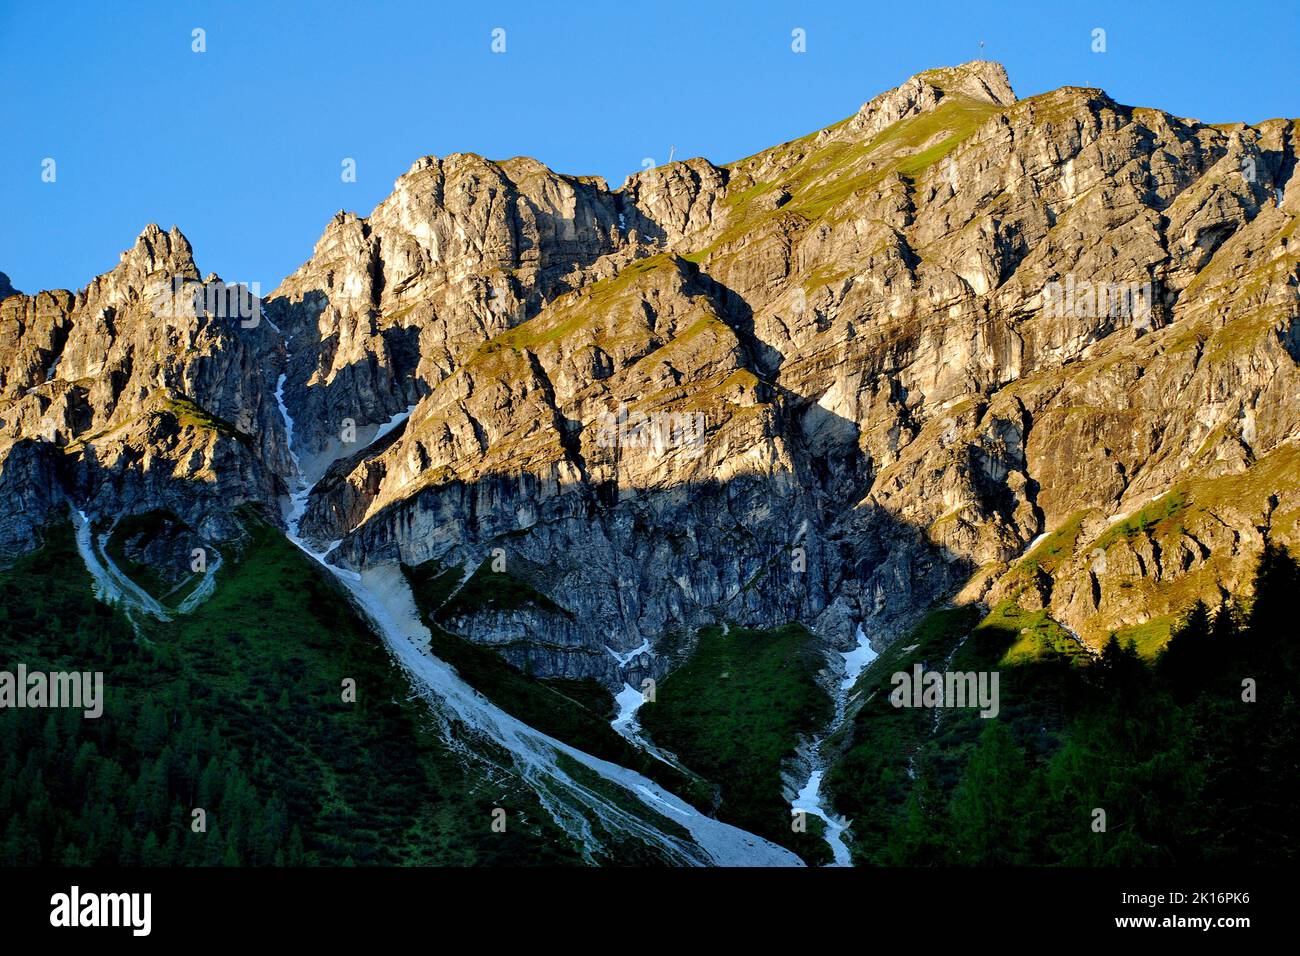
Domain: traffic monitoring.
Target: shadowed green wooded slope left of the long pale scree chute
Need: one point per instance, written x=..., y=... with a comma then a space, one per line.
x=237, y=710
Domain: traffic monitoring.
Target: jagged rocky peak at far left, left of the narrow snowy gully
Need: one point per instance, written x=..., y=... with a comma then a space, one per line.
x=131, y=397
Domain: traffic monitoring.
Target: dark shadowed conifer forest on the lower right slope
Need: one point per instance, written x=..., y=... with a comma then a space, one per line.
x=1194, y=759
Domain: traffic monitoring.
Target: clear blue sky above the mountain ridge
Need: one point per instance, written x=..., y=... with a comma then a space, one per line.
x=242, y=146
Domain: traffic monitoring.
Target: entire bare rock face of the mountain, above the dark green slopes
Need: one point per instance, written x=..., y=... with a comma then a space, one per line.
x=833, y=383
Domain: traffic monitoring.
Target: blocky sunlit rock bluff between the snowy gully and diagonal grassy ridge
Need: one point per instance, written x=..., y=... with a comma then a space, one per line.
x=463, y=250
